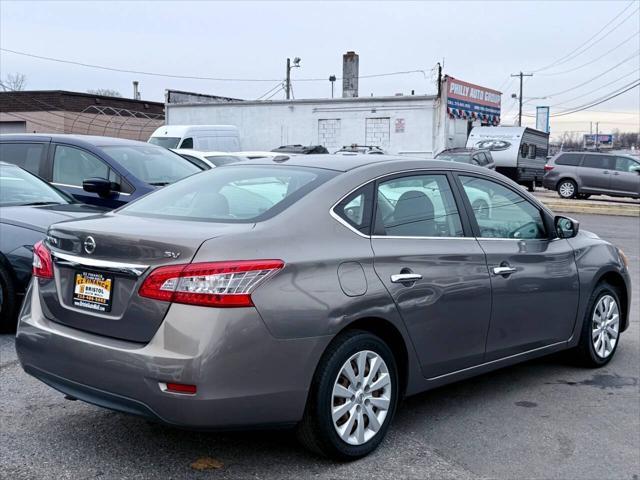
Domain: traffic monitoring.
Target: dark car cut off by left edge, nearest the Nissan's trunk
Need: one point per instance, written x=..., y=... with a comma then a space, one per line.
x=28, y=205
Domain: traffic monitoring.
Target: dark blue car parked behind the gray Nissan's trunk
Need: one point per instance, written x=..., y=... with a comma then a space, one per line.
x=103, y=171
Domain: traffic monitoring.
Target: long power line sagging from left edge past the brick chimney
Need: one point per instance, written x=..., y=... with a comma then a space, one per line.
x=196, y=77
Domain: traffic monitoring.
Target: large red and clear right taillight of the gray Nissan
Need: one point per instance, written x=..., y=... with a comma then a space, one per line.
x=213, y=284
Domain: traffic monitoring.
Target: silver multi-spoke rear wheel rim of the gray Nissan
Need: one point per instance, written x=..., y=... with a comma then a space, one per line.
x=361, y=397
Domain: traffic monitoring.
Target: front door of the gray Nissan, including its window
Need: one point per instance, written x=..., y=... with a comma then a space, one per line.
x=534, y=278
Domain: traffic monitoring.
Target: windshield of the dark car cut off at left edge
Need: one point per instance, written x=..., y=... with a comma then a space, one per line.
x=18, y=187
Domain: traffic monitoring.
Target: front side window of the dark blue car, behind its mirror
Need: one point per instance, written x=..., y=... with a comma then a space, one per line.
x=71, y=166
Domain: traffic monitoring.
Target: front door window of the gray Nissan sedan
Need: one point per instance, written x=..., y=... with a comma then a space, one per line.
x=500, y=212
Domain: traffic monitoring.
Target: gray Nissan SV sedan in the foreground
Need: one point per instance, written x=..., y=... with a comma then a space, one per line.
x=314, y=291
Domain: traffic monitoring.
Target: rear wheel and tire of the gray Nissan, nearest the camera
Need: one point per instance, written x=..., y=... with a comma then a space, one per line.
x=352, y=399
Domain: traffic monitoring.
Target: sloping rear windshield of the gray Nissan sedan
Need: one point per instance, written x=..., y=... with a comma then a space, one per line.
x=233, y=194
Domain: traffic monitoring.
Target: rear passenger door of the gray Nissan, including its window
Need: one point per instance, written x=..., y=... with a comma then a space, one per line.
x=435, y=274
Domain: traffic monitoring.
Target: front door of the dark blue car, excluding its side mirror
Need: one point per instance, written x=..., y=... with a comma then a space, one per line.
x=72, y=165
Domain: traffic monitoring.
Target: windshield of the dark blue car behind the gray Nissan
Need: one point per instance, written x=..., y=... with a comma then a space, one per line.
x=151, y=164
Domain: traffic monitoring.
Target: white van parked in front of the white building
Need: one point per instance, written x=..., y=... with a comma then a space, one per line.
x=221, y=138
